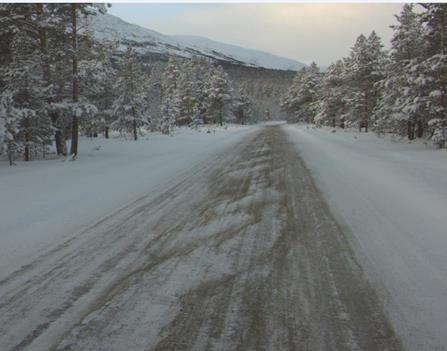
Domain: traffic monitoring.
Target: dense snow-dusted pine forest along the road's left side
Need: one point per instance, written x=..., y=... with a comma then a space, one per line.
x=57, y=82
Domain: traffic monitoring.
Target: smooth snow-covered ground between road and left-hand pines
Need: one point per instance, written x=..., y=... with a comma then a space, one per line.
x=43, y=202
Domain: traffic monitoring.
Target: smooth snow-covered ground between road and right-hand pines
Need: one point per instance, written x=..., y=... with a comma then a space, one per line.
x=393, y=198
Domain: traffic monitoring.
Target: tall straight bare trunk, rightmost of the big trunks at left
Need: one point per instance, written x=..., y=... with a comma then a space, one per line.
x=75, y=87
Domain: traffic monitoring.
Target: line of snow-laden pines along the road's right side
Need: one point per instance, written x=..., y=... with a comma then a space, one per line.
x=401, y=91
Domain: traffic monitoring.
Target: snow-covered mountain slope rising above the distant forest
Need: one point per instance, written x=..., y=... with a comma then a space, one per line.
x=146, y=41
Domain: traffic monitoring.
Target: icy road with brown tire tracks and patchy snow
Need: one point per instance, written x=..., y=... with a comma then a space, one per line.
x=242, y=254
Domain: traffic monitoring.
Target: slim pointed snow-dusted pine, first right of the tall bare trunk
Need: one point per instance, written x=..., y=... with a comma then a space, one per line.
x=129, y=106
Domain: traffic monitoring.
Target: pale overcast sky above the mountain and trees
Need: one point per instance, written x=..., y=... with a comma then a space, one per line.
x=306, y=32
